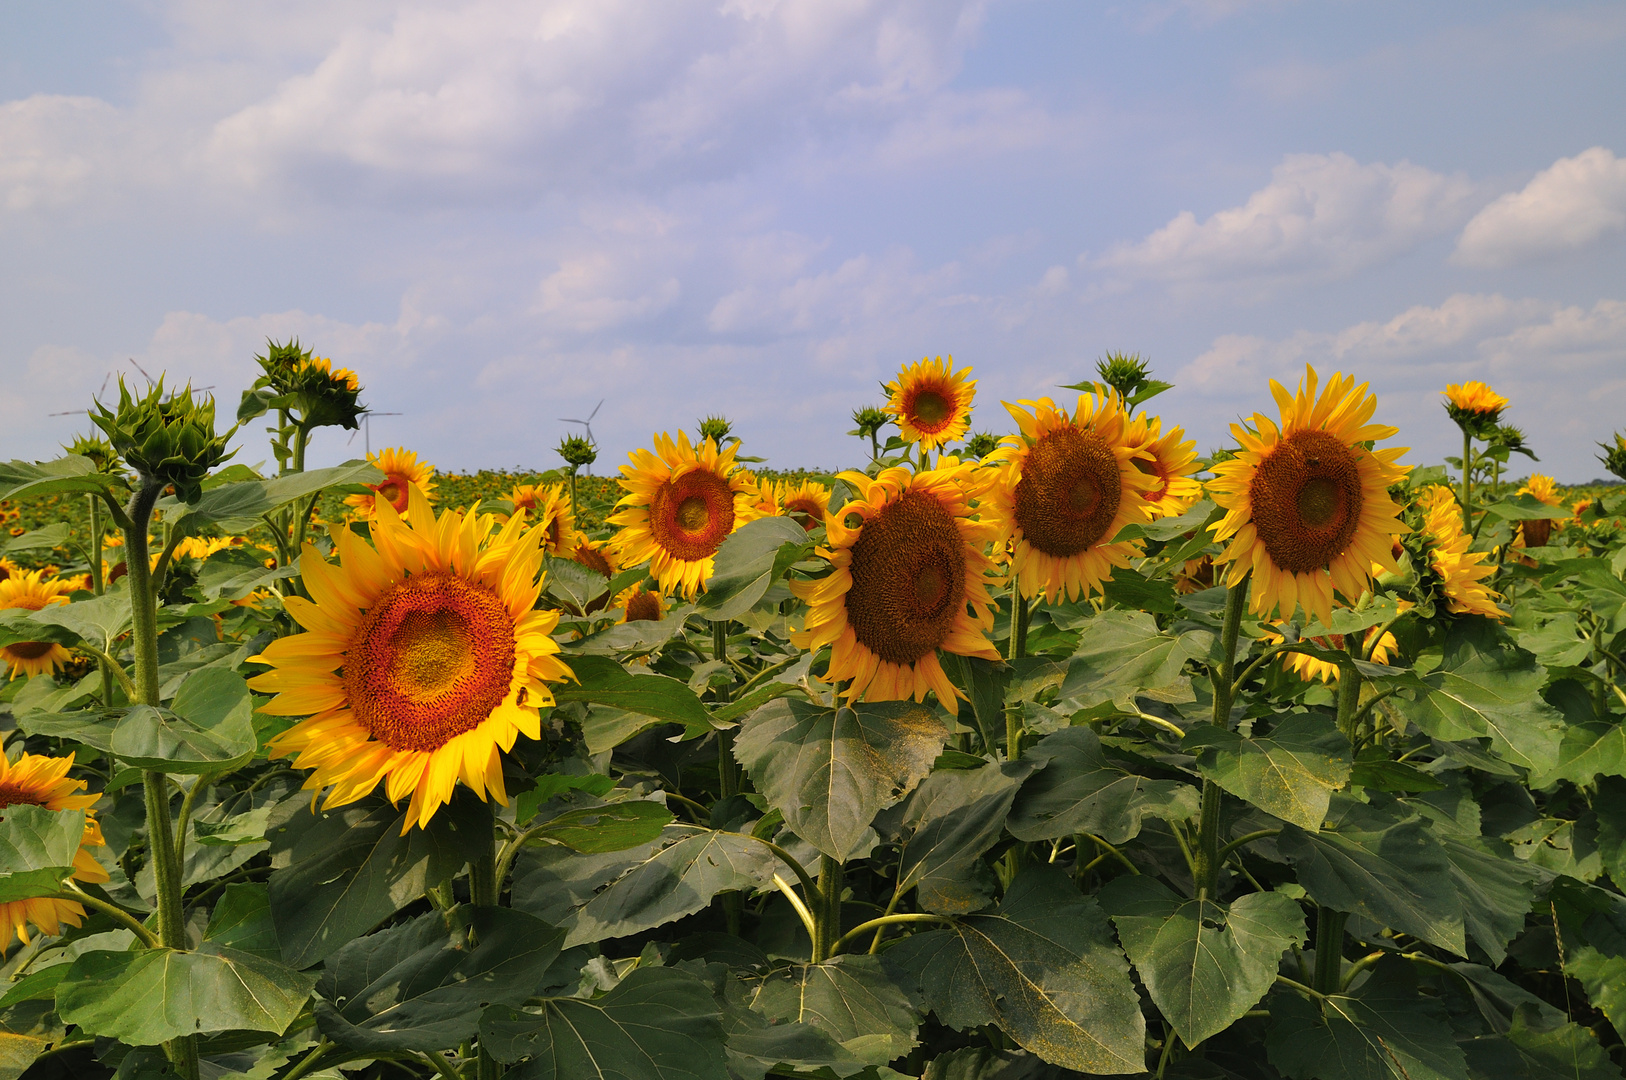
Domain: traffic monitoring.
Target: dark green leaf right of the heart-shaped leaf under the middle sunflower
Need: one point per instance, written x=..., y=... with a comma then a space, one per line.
x=1080, y=791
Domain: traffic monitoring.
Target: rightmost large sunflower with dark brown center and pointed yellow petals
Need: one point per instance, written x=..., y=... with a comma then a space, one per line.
x=1308, y=503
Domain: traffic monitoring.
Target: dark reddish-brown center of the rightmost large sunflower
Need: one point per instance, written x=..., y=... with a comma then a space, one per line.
x=1306, y=499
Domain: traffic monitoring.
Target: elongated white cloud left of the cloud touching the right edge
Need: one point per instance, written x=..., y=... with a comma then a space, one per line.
x=1323, y=216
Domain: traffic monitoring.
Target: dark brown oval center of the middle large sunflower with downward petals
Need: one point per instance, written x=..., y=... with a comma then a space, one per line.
x=908, y=580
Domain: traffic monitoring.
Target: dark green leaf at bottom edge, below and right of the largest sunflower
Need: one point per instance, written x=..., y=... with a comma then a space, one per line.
x=658, y=1024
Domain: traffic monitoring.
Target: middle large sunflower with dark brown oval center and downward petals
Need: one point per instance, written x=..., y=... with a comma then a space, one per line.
x=908, y=580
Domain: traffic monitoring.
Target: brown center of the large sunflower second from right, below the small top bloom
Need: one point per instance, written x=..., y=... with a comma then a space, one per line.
x=1069, y=492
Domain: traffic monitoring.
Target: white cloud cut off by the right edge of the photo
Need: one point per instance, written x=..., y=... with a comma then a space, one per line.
x=1572, y=204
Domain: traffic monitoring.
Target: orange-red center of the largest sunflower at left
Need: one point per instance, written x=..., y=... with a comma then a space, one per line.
x=430, y=661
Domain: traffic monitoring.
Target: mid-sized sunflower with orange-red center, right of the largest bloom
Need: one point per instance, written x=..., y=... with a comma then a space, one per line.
x=682, y=503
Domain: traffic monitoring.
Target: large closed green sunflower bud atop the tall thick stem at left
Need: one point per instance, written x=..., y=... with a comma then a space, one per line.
x=165, y=440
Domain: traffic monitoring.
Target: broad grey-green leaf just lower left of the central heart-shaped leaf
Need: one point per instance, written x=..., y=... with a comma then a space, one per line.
x=679, y=879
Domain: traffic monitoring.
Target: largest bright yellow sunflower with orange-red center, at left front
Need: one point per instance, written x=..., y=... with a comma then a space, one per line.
x=424, y=658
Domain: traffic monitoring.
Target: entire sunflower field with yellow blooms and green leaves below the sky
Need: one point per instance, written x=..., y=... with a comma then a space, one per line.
x=1002, y=759
